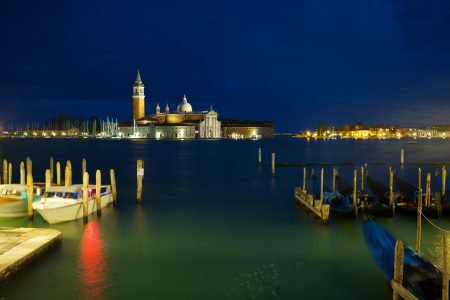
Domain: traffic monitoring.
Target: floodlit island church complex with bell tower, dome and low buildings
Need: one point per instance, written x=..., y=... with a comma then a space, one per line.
x=185, y=123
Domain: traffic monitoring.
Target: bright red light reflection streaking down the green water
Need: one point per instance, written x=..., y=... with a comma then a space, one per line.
x=92, y=261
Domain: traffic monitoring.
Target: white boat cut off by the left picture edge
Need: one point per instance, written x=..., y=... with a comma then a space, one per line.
x=14, y=199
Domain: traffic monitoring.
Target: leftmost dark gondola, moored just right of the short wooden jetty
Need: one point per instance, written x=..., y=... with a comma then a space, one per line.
x=371, y=206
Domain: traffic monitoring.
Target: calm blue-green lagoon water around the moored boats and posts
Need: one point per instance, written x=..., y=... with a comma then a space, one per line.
x=214, y=225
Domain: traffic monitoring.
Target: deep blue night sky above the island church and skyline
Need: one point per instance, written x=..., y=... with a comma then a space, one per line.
x=293, y=62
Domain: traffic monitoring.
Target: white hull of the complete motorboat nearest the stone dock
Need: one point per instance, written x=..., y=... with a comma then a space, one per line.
x=71, y=212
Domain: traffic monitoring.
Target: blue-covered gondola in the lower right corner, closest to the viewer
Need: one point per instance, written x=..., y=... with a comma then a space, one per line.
x=420, y=277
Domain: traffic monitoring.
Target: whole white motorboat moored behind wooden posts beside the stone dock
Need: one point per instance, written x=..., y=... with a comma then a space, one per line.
x=65, y=203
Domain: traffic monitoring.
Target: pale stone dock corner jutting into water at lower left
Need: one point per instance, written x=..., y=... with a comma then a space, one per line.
x=18, y=246
